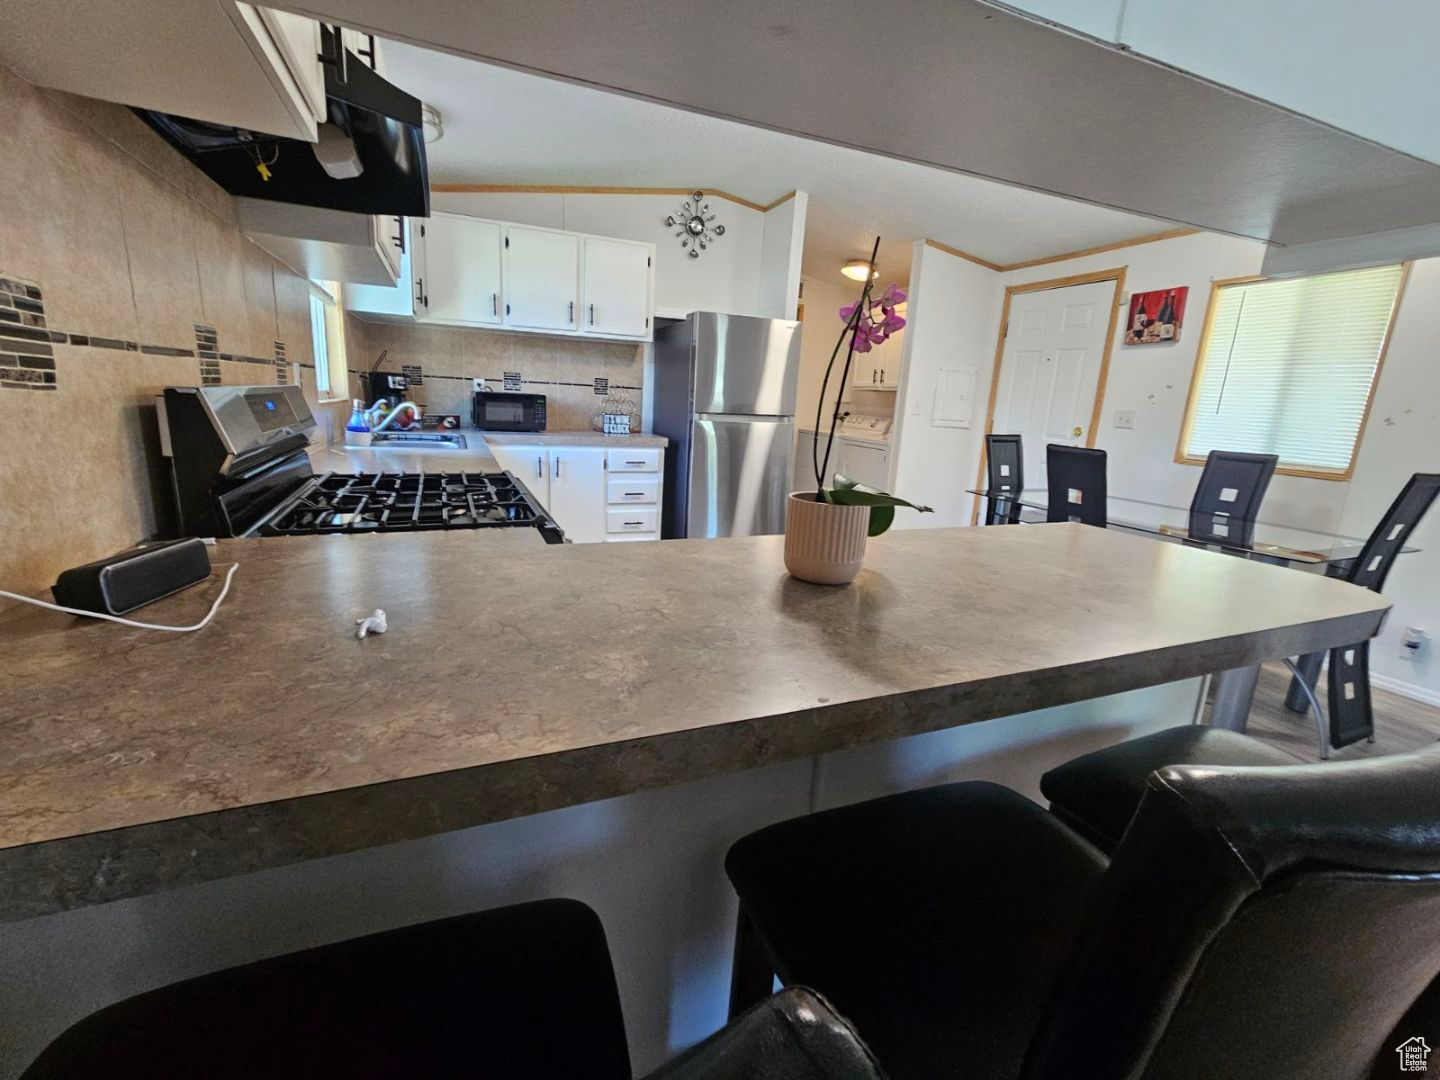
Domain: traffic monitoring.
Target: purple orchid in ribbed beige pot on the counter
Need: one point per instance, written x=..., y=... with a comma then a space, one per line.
x=826, y=529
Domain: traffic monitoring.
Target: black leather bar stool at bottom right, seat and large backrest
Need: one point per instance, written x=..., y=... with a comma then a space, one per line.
x=1256, y=924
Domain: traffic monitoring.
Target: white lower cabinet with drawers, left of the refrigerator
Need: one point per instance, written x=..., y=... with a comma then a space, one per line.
x=594, y=493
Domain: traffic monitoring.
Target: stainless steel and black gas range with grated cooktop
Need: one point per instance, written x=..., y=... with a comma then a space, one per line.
x=241, y=466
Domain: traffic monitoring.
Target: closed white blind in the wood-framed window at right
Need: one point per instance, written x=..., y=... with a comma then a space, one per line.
x=1288, y=366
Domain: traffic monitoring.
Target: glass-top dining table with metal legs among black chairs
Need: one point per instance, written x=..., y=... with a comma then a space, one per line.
x=1272, y=542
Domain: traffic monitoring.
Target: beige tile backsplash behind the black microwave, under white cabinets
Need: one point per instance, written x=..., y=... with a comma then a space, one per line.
x=562, y=369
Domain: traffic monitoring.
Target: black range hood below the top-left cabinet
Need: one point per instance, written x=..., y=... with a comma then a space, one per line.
x=381, y=120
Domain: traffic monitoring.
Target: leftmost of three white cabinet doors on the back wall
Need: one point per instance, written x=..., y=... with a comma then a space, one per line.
x=462, y=280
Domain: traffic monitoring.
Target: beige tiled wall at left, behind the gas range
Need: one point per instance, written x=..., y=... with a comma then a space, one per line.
x=126, y=241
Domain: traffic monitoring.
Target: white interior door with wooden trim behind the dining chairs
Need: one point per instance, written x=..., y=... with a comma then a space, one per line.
x=1050, y=369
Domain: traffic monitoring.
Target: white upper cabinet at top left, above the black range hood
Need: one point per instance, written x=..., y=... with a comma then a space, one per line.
x=221, y=63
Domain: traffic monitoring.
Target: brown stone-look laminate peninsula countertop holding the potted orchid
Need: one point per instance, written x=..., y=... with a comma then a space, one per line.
x=519, y=679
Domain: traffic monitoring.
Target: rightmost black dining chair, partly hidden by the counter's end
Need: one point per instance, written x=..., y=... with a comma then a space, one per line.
x=1351, y=715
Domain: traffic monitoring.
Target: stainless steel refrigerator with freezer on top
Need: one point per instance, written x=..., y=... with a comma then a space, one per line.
x=725, y=397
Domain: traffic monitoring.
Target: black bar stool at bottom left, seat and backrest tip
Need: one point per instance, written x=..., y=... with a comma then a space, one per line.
x=523, y=991
